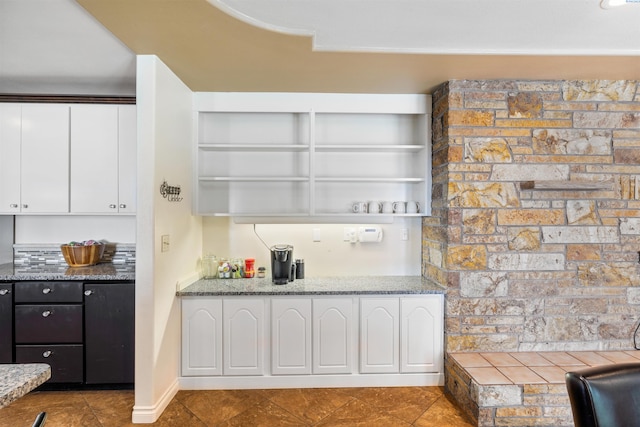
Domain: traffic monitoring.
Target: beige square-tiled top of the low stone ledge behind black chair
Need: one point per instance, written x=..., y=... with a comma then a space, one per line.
x=547, y=367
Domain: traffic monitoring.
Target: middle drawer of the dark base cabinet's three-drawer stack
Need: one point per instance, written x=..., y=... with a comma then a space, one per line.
x=48, y=323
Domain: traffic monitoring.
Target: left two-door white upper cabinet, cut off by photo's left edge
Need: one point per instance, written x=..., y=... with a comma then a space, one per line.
x=34, y=143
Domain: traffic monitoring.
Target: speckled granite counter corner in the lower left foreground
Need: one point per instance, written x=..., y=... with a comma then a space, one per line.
x=19, y=379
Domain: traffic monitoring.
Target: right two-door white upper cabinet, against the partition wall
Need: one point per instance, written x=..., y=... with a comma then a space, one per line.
x=102, y=159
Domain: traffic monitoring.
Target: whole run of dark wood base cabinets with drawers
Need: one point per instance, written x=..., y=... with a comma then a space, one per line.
x=84, y=331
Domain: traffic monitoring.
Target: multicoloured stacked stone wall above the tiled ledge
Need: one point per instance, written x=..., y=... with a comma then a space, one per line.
x=535, y=269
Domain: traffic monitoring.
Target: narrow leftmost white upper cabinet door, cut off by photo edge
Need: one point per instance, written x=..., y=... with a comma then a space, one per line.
x=10, y=136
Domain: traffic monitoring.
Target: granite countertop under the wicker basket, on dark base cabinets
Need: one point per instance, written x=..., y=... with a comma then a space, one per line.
x=102, y=271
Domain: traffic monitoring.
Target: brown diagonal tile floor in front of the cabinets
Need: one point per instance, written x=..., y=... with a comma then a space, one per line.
x=371, y=407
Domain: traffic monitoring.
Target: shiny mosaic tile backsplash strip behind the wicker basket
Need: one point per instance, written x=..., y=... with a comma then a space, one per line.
x=30, y=254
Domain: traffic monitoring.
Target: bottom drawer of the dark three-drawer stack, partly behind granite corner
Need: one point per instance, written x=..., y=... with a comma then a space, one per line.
x=66, y=361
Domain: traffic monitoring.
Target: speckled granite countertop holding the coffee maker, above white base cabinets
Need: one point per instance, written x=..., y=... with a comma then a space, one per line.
x=363, y=285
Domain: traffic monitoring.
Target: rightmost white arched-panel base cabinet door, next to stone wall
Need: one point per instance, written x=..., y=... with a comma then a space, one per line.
x=421, y=334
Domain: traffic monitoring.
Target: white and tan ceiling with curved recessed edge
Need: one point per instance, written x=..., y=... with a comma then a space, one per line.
x=58, y=47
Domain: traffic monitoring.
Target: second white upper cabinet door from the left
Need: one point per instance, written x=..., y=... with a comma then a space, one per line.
x=44, y=174
